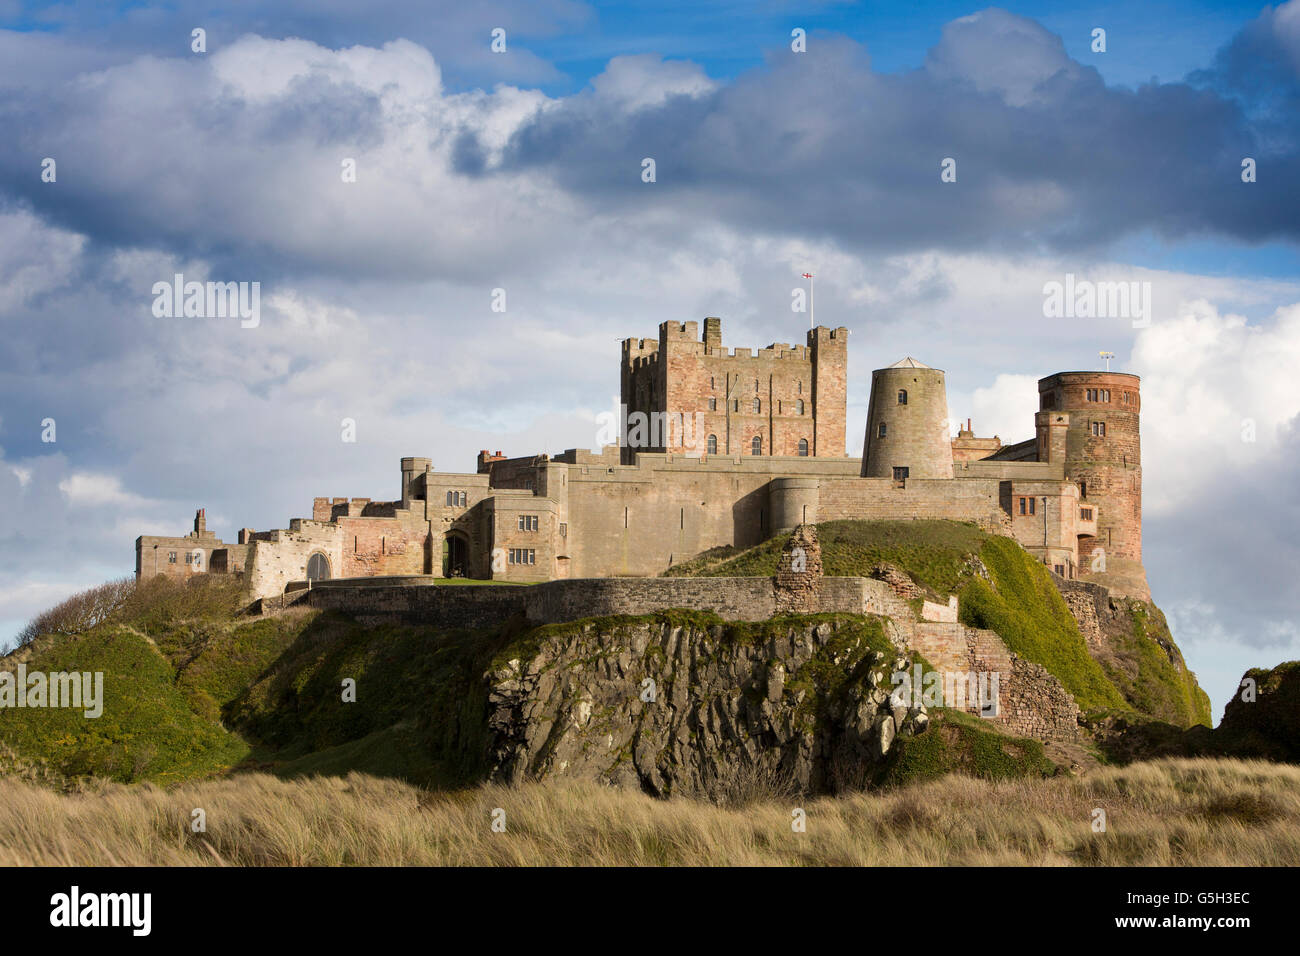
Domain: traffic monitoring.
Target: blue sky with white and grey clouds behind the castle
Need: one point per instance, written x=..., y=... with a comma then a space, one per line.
x=522, y=171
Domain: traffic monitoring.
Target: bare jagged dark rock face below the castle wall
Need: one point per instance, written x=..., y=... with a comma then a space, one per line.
x=692, y=707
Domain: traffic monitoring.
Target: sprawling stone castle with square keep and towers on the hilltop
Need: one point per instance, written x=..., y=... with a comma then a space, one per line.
x=722, y=447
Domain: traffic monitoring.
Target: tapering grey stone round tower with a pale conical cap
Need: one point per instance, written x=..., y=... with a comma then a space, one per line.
x=908, y=434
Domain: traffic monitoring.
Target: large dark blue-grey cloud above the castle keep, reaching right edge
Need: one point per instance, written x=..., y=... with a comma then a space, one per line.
x=1047, y=155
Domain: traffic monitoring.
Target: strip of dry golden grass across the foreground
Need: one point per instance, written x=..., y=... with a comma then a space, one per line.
x=1177, y=812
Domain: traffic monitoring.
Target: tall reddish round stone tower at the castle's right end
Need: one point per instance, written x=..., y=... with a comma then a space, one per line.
x=1103, y=456
